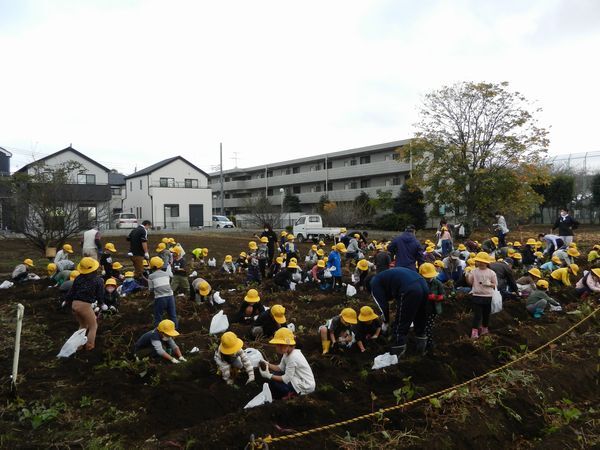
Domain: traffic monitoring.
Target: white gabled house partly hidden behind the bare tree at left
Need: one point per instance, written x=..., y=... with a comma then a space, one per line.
x=87, y=188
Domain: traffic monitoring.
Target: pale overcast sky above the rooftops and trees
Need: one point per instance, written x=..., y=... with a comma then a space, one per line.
x=130, y=82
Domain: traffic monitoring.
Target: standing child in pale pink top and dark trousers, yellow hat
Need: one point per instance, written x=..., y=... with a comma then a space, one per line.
x=483, y=282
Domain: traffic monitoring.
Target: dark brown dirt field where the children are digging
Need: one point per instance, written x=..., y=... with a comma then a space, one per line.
x=102, y=399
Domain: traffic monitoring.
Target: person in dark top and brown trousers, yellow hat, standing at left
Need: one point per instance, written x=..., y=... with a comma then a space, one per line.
x=87, y=288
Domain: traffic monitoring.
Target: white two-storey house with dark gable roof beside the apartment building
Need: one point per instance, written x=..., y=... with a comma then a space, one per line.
x=172, y=193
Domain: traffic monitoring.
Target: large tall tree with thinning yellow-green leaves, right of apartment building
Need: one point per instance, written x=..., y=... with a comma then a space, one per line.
x=473, y=136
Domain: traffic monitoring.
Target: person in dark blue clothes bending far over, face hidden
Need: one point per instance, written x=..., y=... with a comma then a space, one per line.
x=410, y=291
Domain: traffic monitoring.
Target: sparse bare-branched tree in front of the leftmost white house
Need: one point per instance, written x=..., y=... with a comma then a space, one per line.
x=50, y=207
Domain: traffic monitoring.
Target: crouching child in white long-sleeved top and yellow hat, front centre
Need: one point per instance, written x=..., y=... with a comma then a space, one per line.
x=293, y=375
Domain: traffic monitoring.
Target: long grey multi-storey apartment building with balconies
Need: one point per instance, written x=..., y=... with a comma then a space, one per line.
x=340, y=175
